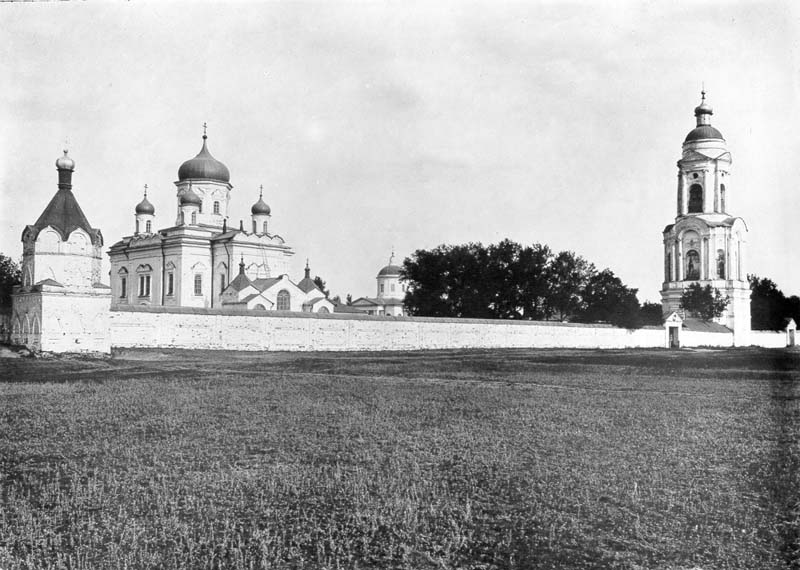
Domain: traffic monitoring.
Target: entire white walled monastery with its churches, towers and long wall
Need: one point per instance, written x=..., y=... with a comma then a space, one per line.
x=198, y=283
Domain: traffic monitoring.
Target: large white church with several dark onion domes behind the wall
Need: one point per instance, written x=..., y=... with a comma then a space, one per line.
x=192, y=262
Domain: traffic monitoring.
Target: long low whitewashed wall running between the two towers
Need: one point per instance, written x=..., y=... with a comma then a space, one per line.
x=167, y=327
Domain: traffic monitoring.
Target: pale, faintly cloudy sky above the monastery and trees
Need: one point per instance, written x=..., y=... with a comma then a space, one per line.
x=380, y=125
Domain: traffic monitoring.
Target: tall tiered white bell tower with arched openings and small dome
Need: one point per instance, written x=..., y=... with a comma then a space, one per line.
x=706, y=244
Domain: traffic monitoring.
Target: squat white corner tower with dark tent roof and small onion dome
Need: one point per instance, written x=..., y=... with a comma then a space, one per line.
x=61, y=305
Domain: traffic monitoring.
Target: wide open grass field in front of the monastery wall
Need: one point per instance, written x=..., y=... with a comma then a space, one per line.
x=453, y=459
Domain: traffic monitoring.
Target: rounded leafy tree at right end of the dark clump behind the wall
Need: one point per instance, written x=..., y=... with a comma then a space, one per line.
x=606, y=299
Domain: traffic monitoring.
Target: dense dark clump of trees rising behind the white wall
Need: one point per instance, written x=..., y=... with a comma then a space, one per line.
x=508, y=280
